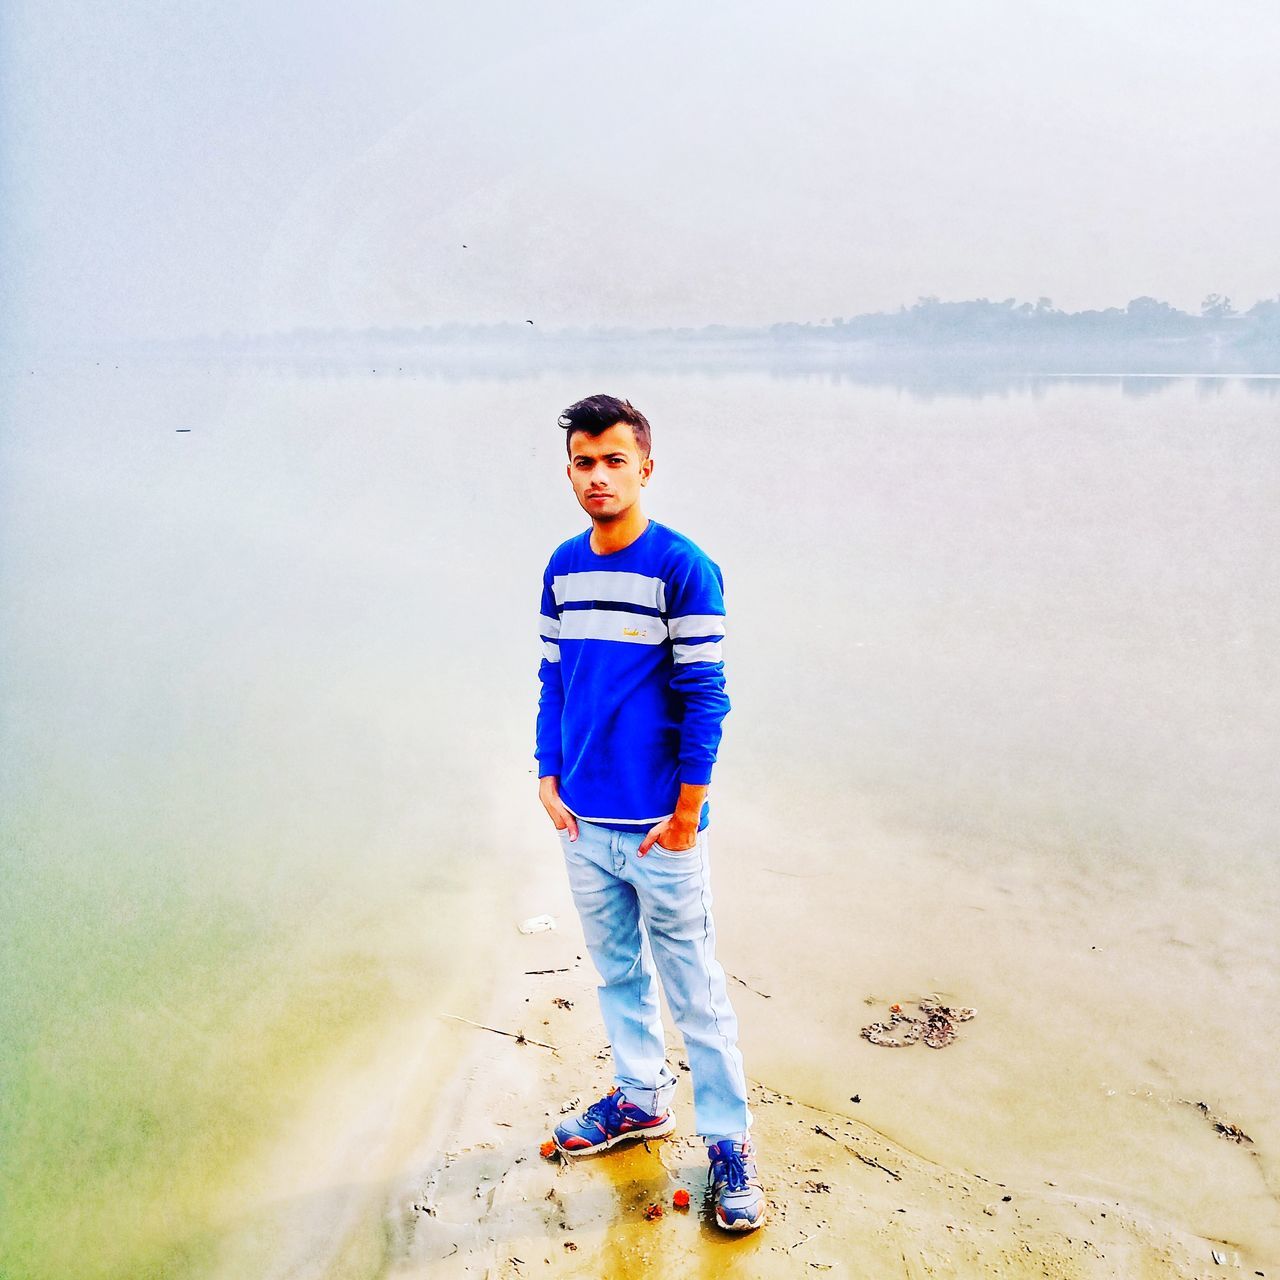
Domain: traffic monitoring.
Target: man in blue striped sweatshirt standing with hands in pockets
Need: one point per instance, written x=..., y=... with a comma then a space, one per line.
x=629, y=721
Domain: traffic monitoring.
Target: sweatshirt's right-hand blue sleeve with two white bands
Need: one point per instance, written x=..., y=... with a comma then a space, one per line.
x=696, y=610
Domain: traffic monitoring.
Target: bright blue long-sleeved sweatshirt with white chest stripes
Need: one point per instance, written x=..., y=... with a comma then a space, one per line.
x=633, y=680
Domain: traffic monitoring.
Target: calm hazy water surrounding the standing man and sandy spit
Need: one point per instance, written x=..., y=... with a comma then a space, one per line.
x=1007, y=720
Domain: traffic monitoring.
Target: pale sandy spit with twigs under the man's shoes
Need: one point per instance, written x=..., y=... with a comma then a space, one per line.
x=478, y=1200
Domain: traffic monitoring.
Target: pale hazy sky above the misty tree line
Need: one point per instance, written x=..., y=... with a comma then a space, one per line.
x=179, y=168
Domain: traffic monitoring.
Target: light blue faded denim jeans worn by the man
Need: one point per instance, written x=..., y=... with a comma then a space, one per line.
x=653, y=916
